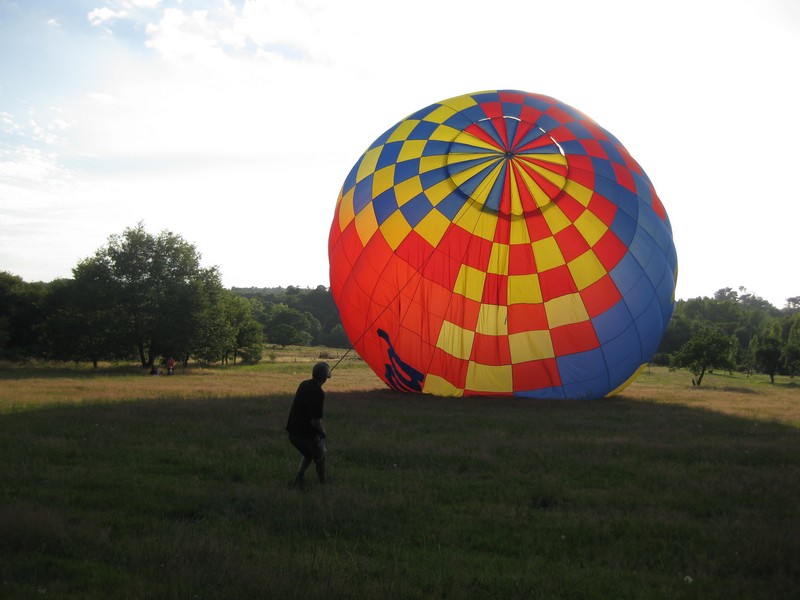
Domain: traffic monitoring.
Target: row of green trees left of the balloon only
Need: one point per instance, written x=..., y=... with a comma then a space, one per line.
x=147, y=297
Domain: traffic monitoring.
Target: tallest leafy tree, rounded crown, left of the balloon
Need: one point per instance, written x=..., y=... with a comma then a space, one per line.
x=164, y=298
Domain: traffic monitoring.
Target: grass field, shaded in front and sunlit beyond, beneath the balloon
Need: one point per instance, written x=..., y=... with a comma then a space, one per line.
x=116, y=484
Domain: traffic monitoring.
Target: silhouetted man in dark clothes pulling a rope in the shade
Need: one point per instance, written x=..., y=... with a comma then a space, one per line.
x=306, y=432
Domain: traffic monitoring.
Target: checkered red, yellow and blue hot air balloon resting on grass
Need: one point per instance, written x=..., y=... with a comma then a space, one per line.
x=502, y=243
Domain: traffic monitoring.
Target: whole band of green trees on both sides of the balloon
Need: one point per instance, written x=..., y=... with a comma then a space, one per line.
x=147, y=297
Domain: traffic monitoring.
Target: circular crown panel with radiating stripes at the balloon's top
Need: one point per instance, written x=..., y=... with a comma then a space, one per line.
x=507, y=165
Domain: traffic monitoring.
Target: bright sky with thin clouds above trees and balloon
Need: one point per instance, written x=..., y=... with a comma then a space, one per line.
x=235, y=122
